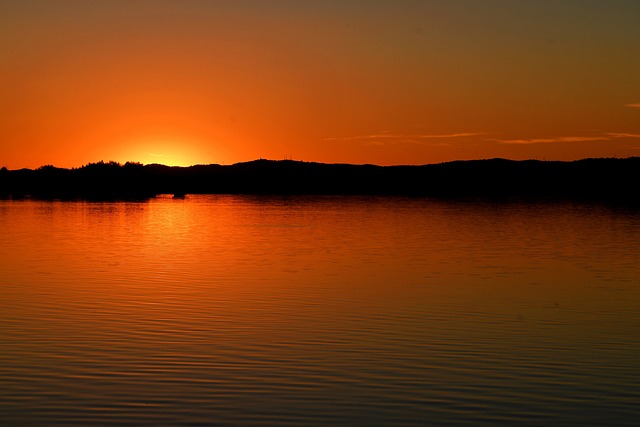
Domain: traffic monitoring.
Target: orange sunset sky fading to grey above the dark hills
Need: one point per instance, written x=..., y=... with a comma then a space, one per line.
x=386, y=82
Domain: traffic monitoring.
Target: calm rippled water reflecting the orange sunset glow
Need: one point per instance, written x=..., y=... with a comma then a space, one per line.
x=221, y=310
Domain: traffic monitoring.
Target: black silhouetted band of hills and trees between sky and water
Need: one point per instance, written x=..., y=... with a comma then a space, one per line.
x=601, y=179
